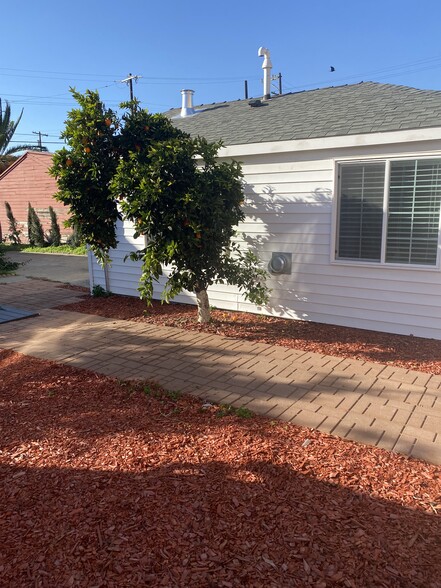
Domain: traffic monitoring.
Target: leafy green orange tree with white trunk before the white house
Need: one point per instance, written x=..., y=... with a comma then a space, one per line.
x=175, y=191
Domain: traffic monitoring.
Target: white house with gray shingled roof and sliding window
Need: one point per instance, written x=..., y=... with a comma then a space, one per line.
x=346, y=181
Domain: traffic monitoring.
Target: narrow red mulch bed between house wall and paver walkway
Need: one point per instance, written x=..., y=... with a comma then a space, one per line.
x=408, y=352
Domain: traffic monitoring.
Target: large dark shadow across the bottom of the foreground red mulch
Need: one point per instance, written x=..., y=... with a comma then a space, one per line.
x=187, y=523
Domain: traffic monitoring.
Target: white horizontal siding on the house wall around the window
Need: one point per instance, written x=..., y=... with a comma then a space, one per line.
x=288, y=207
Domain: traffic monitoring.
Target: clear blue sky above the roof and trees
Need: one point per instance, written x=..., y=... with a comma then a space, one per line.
x=209, y=47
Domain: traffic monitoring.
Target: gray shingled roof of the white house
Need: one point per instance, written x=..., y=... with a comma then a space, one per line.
x=367, y=107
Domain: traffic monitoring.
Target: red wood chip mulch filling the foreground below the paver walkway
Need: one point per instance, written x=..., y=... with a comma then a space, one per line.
x=110, y=484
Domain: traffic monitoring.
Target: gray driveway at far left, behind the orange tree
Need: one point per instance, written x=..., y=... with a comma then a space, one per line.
x=69, y=269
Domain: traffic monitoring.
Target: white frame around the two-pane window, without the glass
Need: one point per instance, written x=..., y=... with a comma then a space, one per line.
x=387, y=160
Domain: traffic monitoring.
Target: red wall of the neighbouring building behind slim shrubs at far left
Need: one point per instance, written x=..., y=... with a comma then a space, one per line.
x=28, y=181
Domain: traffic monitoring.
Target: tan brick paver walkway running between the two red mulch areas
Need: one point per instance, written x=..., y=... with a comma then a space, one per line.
x=393, y=408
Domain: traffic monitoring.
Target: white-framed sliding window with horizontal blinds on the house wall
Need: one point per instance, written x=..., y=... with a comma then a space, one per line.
x=389, y=211
